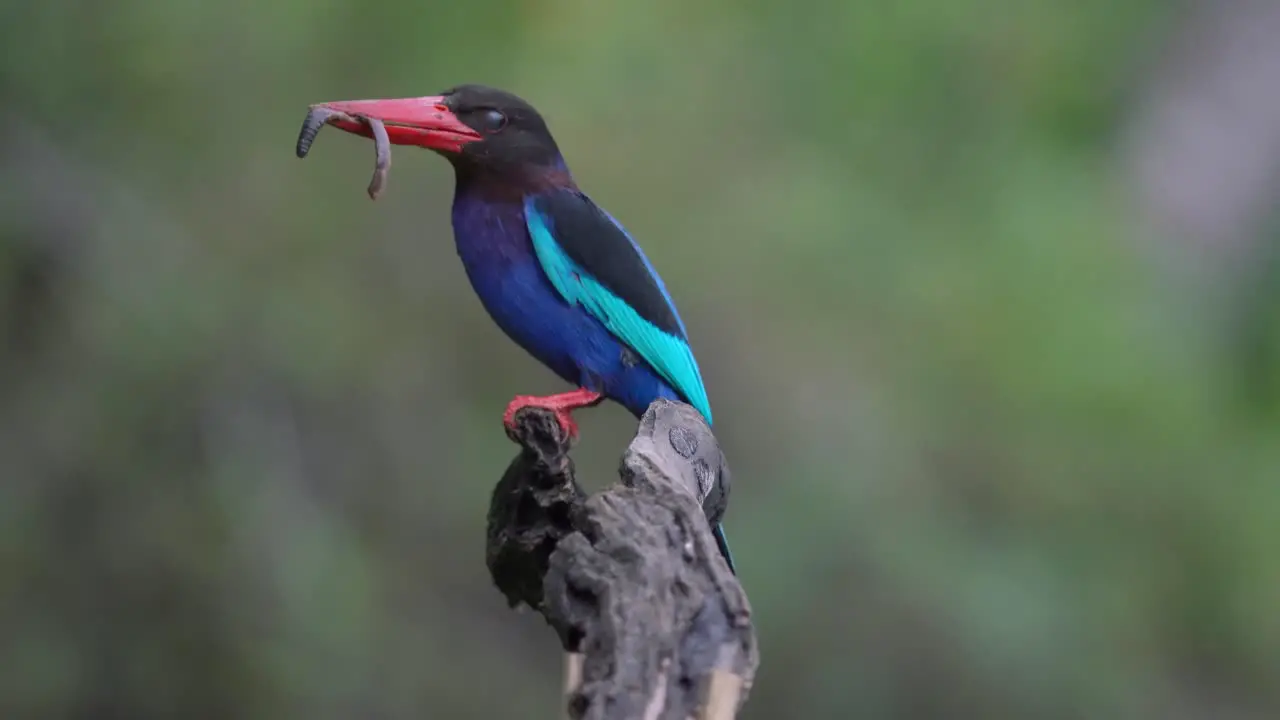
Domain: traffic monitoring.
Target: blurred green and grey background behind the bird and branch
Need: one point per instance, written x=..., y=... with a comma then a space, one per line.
x=986, y=295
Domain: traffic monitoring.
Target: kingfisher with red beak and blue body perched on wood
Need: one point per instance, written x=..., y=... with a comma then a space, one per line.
x=555, y=271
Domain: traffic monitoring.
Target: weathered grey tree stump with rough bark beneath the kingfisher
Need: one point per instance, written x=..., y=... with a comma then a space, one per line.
x=656, y=625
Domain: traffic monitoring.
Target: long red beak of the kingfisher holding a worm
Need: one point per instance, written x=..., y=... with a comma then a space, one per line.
x=426, y=122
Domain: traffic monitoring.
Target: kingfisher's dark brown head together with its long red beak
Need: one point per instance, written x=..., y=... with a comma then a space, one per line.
x=477, y=129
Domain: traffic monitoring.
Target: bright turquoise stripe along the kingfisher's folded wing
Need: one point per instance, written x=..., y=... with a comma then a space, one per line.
x=668, y=354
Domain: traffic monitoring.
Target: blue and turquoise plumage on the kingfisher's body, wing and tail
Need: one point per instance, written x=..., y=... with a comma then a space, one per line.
x=565, y=317
